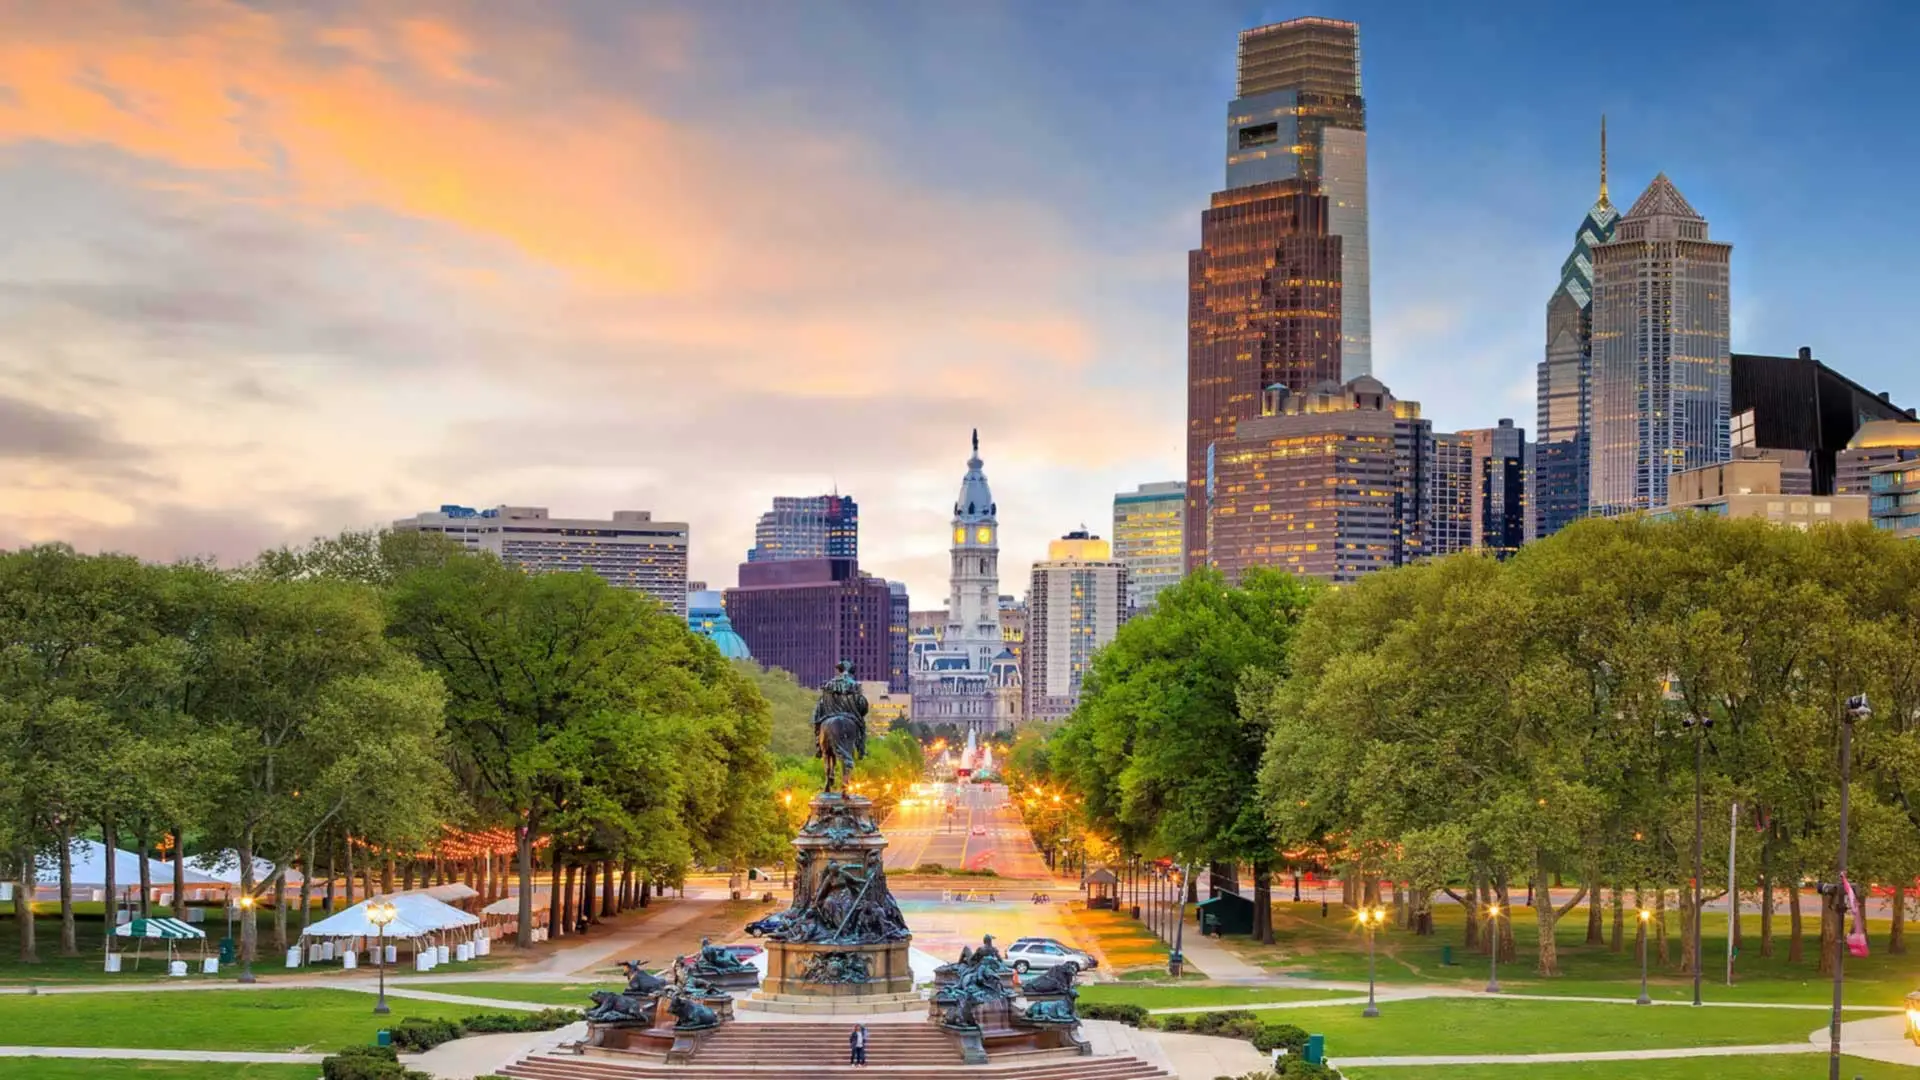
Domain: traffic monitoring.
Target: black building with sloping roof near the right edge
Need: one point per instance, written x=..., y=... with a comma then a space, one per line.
x=1804, y=406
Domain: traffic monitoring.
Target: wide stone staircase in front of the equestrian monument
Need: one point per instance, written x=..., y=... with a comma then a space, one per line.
x=821, y=1050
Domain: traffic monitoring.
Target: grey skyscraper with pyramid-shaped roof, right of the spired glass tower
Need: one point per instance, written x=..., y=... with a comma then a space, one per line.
x=1660, y=376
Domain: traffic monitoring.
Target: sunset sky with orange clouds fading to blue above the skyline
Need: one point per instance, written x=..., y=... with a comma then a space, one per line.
x=279, y=270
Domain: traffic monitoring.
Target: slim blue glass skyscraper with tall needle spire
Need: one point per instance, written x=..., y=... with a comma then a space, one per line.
x=1564, y=410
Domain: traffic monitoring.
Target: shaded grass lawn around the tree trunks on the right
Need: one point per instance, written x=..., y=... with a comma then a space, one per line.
x=1312, y=946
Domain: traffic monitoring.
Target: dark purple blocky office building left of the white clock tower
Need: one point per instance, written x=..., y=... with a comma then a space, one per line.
x=805, y=616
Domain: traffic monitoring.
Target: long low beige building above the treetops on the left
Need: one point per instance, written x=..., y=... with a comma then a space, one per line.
x=629, y=551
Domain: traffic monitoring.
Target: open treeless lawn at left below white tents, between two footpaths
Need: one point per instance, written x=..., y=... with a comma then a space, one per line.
x=208, y=1019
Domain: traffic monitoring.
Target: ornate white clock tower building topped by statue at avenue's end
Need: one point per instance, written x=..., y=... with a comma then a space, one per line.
x=969, y=677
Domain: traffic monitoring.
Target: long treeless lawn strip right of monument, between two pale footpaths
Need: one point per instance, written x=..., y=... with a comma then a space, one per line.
x=1493, y=1025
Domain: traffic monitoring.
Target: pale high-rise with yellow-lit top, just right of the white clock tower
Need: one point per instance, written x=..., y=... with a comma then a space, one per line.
x=1076, y=604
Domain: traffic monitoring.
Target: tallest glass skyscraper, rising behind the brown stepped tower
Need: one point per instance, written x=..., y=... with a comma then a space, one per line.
x=1301, y=116
